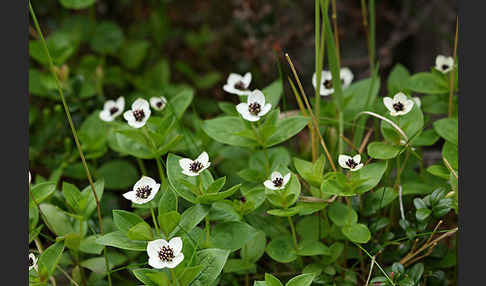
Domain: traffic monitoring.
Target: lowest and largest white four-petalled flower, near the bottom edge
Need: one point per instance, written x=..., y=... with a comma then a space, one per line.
x=164, y=254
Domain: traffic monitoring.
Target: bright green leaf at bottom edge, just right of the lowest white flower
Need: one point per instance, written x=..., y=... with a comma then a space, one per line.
x=212, y=260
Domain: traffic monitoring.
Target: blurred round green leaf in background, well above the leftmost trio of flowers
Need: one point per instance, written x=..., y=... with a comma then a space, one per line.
x=107, y=38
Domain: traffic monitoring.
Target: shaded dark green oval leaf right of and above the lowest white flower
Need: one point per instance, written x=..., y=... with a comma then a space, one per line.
x=232, y=235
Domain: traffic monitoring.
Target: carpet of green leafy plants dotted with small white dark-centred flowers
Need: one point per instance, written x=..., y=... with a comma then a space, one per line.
x=138, y=179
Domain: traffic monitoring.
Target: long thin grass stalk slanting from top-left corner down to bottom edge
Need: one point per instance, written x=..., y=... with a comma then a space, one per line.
x=73, y=129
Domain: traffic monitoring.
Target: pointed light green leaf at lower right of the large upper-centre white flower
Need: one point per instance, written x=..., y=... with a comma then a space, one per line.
x=286, y=129
